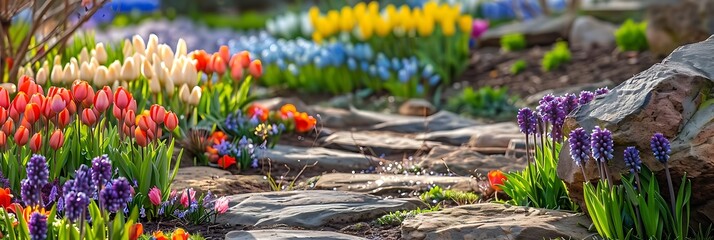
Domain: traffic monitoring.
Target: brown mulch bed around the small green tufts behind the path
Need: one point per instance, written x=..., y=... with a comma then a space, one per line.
x=491, y=67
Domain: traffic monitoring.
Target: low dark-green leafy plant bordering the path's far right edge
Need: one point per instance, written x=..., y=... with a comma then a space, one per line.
x=487, y=102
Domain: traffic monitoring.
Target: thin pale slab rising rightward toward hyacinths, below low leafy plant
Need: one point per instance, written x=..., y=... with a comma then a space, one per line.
x=463, y=135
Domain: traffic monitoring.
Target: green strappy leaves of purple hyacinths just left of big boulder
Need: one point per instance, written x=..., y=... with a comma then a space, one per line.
x=539, y=185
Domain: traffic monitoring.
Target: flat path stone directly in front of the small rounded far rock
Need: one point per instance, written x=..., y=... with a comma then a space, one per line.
x=441, y=121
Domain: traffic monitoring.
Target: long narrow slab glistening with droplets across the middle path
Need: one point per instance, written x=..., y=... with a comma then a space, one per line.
x=392, y=184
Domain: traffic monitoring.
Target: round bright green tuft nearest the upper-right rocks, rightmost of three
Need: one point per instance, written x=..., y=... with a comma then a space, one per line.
x=632, y=36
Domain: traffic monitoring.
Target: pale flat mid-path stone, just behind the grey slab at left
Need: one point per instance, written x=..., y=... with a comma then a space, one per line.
x=379, y=142
